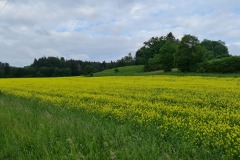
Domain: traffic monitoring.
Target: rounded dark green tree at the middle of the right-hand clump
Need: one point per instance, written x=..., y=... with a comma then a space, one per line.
x=189, y=54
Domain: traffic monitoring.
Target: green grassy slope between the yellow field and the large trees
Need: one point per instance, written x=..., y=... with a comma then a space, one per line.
x=138, y=71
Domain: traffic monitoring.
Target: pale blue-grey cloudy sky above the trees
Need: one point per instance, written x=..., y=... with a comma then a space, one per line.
x=108, y=29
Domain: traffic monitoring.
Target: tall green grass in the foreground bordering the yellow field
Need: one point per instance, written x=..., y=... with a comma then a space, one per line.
x=34, y=130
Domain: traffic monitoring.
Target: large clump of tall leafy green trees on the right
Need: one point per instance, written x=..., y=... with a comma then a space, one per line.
x=187, y=54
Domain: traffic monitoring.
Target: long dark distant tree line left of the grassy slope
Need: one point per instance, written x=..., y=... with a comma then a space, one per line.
x=58, y=67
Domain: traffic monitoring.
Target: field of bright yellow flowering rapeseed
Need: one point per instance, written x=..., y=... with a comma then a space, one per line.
x=202, y=110
